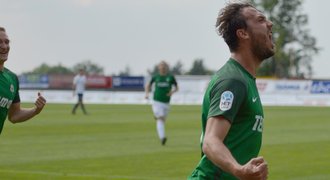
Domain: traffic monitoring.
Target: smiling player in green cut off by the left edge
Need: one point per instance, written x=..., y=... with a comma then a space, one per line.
x=9, y=86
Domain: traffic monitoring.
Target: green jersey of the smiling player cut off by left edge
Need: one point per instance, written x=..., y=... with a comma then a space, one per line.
x=8, y=93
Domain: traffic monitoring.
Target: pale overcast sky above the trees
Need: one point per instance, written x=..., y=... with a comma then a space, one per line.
x=138, y=34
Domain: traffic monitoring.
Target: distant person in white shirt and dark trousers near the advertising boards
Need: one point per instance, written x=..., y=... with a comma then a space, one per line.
x=79, y=85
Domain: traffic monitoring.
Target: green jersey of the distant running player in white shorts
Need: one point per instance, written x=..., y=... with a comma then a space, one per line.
x=163, y=85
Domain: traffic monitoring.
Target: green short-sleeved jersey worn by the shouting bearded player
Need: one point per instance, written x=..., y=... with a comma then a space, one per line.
x=232, y=93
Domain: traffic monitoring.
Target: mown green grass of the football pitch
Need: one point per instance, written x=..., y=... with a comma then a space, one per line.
x=120, y=142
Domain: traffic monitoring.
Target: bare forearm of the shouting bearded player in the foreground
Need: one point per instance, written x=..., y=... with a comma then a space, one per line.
x=220, y=155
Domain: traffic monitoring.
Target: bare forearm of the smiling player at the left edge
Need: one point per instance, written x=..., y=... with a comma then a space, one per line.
x=23, y=114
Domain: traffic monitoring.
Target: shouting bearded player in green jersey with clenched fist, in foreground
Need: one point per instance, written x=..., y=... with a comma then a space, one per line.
x=232, y=114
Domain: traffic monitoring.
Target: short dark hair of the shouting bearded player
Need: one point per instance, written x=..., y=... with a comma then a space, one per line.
x=229, y=20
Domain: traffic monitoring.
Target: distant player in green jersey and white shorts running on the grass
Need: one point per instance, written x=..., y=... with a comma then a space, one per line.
x=161, y=98
